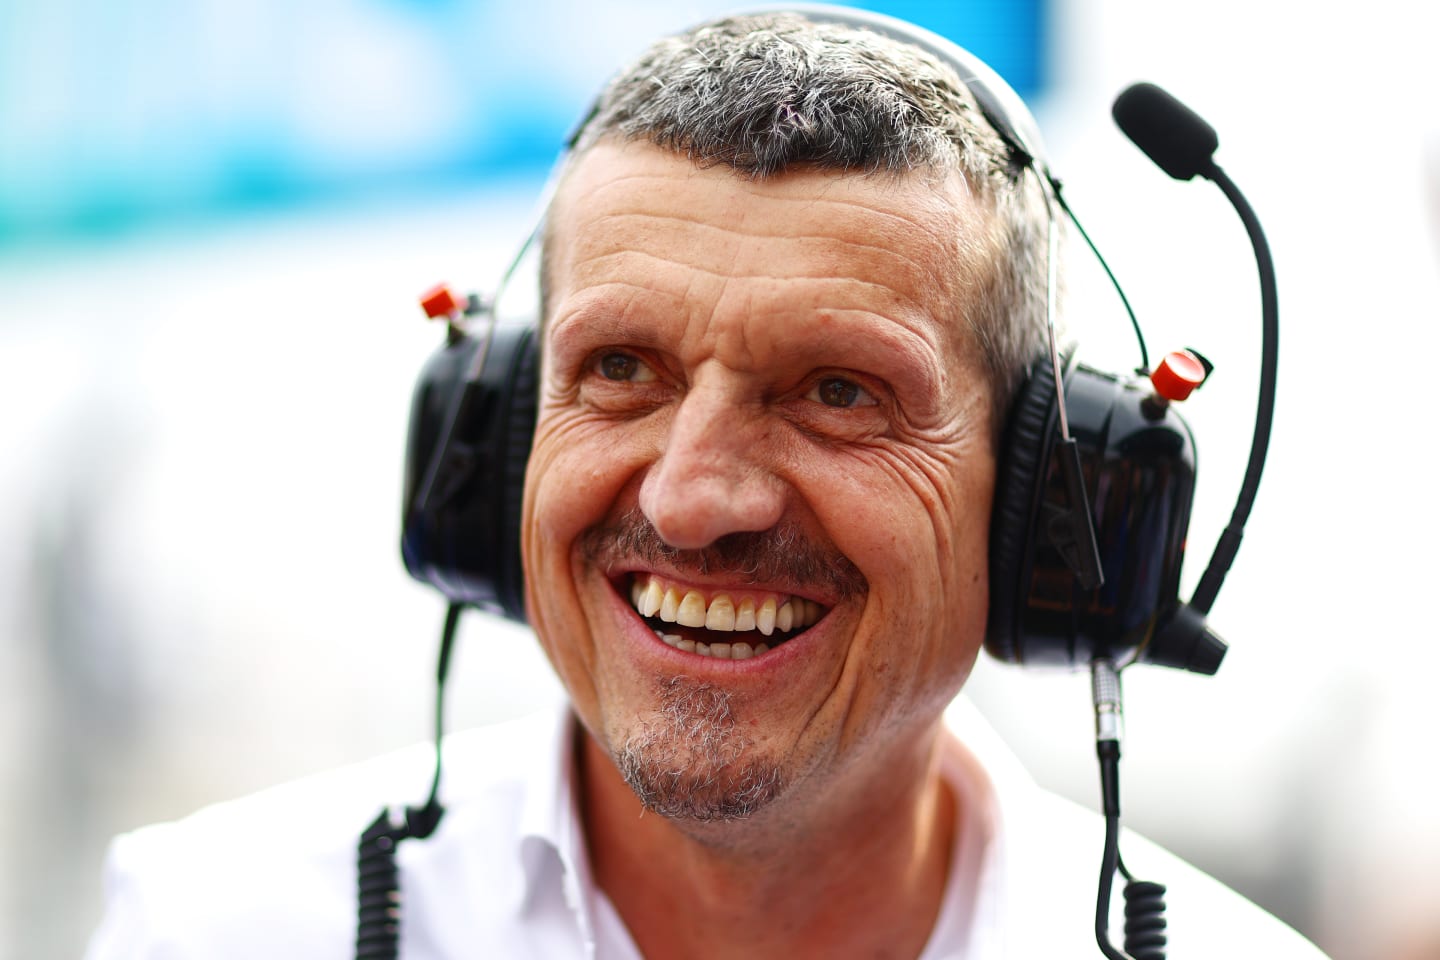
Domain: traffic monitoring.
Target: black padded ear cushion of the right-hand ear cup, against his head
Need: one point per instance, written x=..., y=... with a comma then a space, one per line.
x=1023, y=464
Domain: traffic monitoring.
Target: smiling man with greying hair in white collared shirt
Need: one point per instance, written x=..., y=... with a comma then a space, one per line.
x=791, y=283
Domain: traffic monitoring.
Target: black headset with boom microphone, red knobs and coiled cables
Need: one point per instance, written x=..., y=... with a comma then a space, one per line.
x=1094, y=490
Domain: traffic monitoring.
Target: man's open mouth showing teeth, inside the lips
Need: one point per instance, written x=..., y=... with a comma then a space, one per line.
x=721, y=624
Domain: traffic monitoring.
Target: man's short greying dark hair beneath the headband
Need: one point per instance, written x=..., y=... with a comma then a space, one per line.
x=771, y=93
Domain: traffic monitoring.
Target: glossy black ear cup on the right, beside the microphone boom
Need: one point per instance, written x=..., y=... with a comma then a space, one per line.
x=1138, y=460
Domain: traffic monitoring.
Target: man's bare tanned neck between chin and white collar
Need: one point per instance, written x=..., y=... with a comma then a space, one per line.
x=810, y=876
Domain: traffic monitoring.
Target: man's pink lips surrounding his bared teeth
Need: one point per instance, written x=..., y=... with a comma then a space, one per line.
x=654, y=653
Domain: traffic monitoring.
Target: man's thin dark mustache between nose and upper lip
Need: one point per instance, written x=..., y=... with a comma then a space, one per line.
x=781, y=555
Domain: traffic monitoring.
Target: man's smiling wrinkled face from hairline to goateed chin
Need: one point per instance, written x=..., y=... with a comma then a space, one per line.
x=757, y=509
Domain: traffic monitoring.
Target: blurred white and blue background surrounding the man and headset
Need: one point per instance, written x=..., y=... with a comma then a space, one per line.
x=215, y=219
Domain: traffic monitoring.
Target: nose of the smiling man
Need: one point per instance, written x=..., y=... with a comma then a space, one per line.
x=714, y=477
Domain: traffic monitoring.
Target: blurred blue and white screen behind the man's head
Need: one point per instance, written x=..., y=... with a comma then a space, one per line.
x=122, y=116
